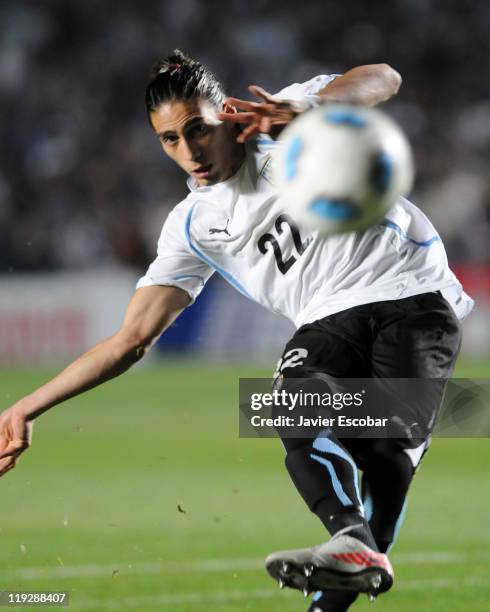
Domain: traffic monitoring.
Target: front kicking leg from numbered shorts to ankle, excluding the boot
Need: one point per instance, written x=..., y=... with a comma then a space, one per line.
x=321, y=468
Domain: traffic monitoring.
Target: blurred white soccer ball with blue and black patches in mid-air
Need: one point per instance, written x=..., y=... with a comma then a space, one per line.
x=340, y=168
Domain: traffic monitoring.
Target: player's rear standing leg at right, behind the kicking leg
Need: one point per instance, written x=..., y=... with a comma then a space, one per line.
x=418, y=337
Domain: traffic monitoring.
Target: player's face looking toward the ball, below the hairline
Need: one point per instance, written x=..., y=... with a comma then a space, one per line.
x=207, y=152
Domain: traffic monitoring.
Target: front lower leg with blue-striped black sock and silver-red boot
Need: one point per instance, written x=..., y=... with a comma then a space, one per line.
x=326, y=476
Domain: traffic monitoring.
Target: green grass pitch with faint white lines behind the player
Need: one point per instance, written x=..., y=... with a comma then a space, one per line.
x=140, y=496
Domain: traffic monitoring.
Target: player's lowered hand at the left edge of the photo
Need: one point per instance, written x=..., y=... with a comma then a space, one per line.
x=15, y=437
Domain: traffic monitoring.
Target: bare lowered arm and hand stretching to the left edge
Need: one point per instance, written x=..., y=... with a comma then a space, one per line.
x=150, y=312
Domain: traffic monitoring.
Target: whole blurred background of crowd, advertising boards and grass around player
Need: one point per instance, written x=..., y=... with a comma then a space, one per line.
x=140, y=495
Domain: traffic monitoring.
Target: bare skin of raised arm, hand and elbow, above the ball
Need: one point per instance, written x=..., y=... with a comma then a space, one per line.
x=364, y=85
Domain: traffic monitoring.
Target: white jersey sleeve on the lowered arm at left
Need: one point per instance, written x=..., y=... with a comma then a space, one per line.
x=175, y=264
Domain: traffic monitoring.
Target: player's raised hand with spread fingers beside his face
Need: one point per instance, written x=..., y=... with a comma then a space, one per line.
x=268, y=116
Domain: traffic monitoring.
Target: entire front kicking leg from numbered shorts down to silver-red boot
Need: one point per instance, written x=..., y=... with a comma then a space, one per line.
x=325, y=474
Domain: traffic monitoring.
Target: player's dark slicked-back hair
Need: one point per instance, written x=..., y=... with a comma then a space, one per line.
x=180, y=77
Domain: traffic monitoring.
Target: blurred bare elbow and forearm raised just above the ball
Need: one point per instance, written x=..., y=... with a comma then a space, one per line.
x=365, y=85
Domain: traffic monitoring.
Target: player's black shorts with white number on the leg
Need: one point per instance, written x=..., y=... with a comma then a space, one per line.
x=416, y=337
